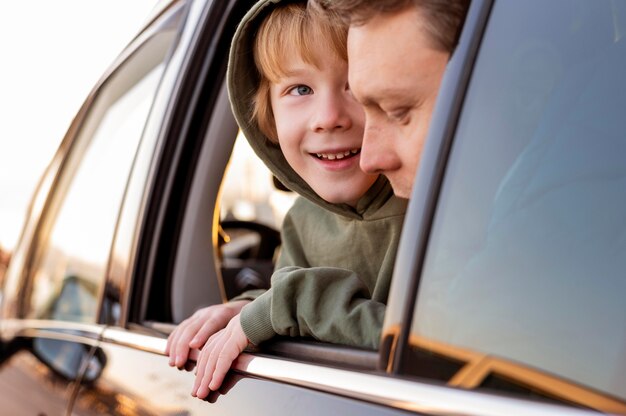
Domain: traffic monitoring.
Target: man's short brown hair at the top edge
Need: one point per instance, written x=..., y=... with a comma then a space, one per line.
x=443, y=18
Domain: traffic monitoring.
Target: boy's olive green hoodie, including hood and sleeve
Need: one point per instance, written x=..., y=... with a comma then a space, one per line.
x=333, y=273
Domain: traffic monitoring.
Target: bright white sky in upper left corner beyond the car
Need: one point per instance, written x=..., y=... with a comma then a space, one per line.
x=53, y=53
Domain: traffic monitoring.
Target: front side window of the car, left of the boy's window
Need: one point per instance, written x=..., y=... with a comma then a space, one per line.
x=71, y=261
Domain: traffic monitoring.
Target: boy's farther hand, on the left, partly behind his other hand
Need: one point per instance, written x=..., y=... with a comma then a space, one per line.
x=194, y=331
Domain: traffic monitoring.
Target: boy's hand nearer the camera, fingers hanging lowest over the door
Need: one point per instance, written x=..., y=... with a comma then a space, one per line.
x=216, y=357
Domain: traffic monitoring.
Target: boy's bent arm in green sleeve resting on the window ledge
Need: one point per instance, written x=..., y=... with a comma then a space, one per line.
x=326, y=303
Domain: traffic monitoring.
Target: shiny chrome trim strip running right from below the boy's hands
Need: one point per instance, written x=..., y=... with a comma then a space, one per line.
x=397, y=393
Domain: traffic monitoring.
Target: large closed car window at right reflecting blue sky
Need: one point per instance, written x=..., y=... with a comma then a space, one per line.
x=523, y=282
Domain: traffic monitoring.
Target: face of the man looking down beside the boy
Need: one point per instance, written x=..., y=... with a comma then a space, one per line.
x=395, y=73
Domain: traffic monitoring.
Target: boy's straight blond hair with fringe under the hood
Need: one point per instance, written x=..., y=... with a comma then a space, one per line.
x=291, y=29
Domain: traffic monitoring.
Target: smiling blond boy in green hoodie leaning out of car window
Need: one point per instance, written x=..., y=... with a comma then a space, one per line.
x=289, y=91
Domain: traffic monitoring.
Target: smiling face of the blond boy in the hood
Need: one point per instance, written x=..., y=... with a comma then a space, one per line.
x=320, y=128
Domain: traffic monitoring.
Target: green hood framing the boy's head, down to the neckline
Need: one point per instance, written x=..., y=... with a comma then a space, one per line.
x=243, y=80
